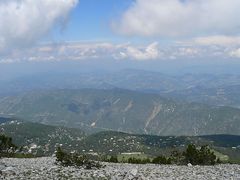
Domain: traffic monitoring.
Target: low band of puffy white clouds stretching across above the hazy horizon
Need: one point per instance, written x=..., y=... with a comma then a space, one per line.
x=78, y=51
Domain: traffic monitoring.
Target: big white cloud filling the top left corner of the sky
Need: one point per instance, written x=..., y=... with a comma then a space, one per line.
x=23, y=22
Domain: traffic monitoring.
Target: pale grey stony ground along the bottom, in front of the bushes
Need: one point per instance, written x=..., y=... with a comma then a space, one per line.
x=45, y=168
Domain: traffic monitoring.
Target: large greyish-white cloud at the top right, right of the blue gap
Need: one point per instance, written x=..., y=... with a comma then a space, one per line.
x=180, y=18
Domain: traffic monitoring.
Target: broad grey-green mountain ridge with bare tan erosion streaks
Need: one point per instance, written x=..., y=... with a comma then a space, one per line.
x=121, y=110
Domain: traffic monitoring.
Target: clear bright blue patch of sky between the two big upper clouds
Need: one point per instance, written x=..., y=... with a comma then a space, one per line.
x=91, y=20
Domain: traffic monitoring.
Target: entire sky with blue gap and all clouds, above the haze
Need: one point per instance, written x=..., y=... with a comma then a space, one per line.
x=119, y=30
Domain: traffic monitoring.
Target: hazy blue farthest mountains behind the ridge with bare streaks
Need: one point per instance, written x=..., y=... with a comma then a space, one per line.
x=219, y=90
